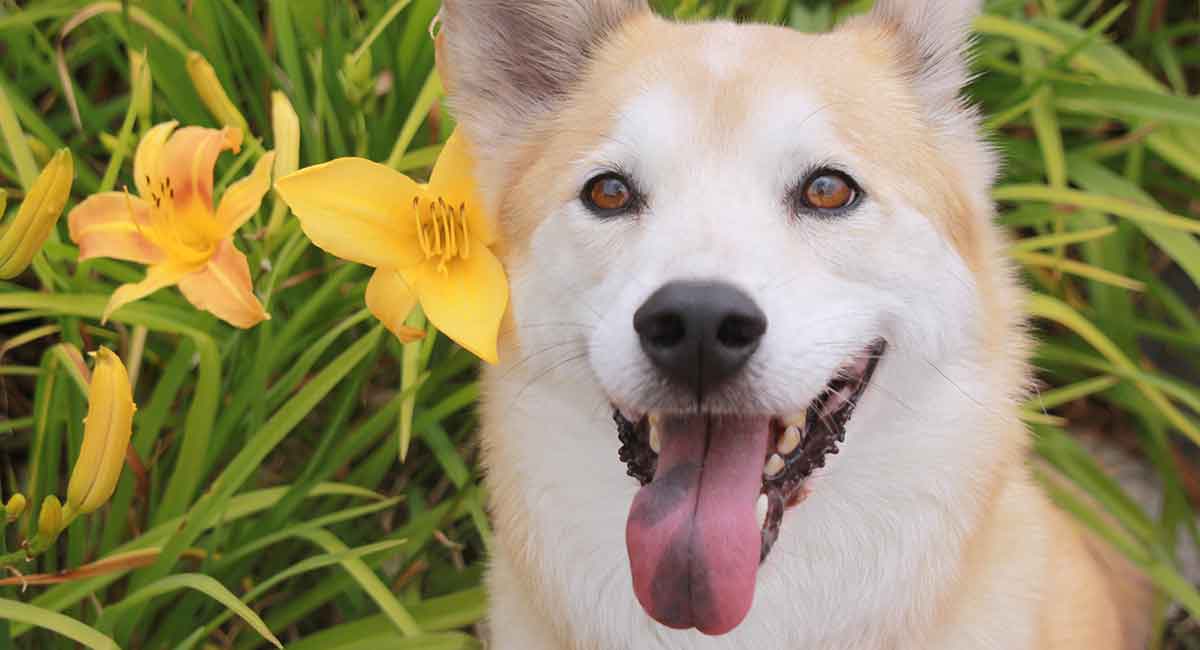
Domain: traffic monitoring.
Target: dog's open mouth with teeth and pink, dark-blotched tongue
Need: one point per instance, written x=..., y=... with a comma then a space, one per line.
x=715, y=490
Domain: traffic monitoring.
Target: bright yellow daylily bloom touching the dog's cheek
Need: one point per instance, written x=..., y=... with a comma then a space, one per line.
x=429, y=244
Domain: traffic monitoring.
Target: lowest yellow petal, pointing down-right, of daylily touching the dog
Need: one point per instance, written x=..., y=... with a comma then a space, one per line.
x=467, y=303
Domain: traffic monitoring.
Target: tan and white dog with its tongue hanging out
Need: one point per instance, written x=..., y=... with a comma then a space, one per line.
x=764, y=360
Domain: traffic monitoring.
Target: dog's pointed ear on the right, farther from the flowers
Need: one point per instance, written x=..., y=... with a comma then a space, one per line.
x=933, y=38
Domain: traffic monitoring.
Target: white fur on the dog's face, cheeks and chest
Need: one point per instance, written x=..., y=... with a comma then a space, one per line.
x=889, y=516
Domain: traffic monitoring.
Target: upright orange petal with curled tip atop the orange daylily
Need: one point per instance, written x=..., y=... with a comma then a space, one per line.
x=188, y=162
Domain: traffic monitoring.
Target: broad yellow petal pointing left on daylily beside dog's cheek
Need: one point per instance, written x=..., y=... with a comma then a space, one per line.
x=357, y=210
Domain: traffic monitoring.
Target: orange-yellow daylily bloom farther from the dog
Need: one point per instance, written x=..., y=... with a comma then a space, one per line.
x=173, y=227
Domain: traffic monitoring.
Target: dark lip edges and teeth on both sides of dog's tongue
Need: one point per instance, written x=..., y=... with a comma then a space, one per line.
x=801, y=443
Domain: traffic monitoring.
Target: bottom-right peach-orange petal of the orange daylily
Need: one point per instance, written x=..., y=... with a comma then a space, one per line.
x=224, y=288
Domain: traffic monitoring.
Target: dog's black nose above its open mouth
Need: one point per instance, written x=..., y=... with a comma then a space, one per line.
x=700, y=334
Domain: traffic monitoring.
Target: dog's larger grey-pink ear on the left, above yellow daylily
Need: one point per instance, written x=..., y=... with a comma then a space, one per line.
x=506, y=63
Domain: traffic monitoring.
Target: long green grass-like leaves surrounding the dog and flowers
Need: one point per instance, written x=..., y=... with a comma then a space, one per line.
x=267, y=454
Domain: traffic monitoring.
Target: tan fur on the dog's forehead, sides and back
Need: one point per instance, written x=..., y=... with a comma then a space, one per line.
x=1087, y=598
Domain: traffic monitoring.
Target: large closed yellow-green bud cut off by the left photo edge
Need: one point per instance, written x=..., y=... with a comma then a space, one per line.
x=25, y=237
